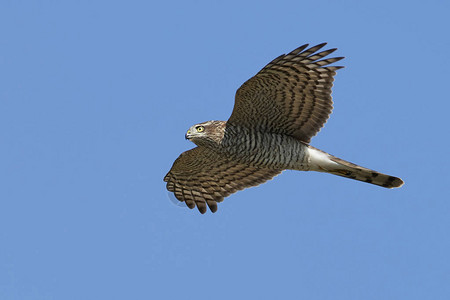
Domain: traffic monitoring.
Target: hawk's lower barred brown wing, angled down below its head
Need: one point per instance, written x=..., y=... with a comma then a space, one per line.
x=203, y=177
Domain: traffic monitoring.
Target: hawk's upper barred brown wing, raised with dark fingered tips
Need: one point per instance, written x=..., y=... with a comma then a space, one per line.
x=291, y=95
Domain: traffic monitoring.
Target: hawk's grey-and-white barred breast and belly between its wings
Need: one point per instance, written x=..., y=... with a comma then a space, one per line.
x=264, y=149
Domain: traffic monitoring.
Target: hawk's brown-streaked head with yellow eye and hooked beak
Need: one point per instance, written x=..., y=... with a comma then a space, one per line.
x=208, y=134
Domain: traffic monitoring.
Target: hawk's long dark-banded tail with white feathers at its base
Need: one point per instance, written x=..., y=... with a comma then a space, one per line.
x=323, y=162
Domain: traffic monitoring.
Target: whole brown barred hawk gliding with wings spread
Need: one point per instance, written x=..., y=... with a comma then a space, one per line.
x=275, y=115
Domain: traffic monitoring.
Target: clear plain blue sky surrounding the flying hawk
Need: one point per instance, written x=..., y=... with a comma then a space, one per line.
x=95, y=99
